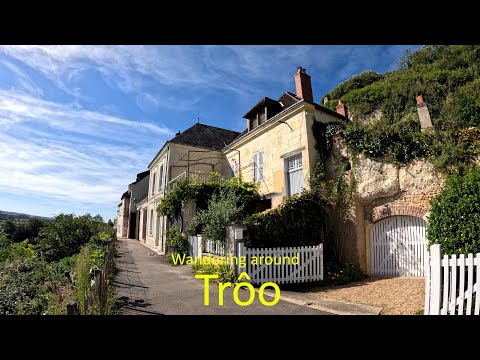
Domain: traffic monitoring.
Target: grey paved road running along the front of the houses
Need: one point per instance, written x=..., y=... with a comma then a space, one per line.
x=146, y=284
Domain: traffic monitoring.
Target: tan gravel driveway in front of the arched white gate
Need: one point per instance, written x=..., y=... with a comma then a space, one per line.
x=397, y=296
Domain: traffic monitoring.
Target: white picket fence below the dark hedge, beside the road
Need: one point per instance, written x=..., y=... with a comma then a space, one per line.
x=309, y=268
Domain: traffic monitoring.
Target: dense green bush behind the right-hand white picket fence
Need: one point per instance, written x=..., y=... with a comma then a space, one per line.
x=454, y=221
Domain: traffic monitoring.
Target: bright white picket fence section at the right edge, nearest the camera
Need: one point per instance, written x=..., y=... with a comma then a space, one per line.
x=452, y=285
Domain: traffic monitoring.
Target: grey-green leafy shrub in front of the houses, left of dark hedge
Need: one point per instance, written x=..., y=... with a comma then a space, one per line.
x=224, y=209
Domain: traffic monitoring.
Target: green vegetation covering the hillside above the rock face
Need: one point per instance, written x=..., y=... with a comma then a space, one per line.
x=448, y=77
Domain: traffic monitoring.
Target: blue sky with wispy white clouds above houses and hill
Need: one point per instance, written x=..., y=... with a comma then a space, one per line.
x=77, y=123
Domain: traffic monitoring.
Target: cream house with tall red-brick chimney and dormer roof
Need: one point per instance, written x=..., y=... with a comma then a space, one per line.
x=277, y=149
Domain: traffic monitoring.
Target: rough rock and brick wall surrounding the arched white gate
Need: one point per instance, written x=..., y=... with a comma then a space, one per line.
x=382, y=190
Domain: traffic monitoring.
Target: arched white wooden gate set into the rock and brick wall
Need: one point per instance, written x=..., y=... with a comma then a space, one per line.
x=399, y=246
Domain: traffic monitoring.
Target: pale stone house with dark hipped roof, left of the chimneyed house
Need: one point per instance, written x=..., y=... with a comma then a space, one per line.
x=193, y=154
